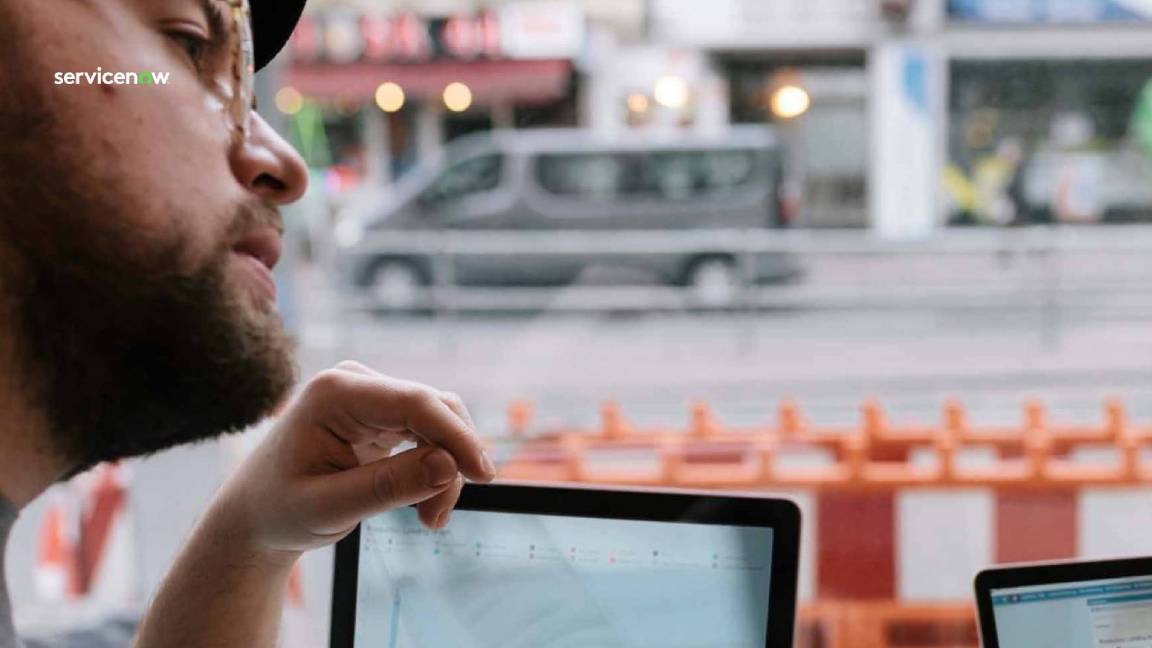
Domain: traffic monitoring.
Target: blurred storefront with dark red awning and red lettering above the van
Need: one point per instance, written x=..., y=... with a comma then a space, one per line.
x=391, y=89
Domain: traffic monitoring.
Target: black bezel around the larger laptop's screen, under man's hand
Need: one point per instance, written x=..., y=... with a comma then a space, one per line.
x=782, y=516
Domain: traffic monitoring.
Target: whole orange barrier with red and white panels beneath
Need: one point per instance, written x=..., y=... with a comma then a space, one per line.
x=897, y=519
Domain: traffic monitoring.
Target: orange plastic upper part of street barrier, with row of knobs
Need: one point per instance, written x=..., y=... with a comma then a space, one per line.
x=875, y=454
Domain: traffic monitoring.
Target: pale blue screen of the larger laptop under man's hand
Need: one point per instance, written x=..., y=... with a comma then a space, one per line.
x=514, y=581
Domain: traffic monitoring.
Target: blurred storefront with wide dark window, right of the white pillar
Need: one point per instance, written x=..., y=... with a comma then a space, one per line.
x=1048, y=112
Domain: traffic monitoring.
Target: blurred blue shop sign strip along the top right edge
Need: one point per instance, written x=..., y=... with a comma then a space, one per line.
x=1051, y=12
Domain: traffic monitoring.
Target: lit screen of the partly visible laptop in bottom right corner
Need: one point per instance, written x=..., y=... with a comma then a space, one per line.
x=1113, y=613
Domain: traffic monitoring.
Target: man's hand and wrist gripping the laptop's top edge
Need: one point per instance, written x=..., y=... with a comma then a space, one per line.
x=325, y=465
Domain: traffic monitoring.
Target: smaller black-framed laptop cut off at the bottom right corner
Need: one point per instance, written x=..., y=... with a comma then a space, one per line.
x=1103, y=604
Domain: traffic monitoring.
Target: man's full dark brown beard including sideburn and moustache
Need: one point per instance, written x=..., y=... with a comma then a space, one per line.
x=120, y=343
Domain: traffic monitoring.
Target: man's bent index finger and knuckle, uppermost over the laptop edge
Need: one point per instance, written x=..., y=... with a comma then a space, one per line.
x=360, y=406
